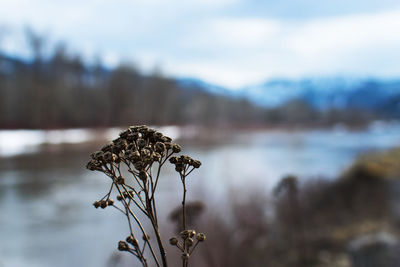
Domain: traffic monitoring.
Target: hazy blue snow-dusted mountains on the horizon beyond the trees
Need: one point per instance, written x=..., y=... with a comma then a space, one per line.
x=370, y=94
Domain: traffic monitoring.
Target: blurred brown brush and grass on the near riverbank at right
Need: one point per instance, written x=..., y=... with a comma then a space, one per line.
x=350, y=221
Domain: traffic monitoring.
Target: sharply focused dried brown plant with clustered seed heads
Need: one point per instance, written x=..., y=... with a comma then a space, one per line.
x=134, y=161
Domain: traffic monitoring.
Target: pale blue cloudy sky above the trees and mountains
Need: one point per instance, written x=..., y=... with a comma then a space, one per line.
x=232, y=43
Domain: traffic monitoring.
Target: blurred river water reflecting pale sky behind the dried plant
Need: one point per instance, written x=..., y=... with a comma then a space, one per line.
x=45, y=198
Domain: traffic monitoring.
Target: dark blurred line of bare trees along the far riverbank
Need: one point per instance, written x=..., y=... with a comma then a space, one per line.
x=59, y=90
